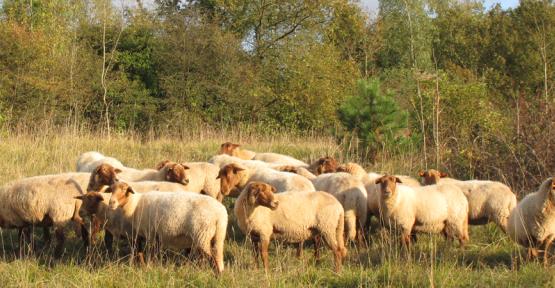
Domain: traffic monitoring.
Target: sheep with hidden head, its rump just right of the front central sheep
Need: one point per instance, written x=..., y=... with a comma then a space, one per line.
x=350, y=192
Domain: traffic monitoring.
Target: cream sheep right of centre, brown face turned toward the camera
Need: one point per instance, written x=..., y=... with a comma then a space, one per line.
x=428, y=209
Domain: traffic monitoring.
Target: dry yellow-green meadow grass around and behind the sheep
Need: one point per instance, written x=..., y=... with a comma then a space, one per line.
x=490, y=259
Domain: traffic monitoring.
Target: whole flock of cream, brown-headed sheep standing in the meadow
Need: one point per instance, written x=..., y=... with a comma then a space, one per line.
x=178, y=205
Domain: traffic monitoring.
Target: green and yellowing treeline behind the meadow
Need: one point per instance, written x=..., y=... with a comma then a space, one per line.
x=468, y=88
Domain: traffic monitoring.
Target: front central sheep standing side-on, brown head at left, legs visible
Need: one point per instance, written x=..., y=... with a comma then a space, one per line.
x=291, y=217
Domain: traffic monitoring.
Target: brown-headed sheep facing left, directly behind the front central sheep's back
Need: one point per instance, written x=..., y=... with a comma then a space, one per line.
x=233, y=178
